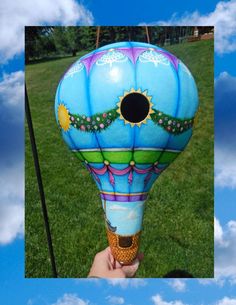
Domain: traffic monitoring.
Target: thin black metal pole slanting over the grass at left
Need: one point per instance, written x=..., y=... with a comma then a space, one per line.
x=40, y=184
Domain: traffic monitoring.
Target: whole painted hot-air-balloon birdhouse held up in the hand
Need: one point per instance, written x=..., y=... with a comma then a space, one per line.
x=126, y=110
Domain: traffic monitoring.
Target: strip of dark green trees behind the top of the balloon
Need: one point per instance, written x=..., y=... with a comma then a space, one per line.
x=44, y=42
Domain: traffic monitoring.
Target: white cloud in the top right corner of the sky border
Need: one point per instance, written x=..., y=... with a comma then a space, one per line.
x=223, y=18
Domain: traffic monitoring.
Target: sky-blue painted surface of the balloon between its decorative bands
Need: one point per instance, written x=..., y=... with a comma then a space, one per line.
x=95, y=83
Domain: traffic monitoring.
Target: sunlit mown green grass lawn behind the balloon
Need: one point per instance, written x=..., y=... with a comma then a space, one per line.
x=178, y=220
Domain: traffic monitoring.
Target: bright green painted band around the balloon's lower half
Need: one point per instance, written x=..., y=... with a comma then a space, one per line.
x=122, y=157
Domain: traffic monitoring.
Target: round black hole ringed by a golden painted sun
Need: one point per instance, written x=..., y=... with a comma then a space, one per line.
x=134, y=107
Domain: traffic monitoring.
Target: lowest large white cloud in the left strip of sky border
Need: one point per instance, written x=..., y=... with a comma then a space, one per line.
x=11, y=203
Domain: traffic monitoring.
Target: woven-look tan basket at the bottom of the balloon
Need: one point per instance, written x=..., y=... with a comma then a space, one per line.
x=123, y=248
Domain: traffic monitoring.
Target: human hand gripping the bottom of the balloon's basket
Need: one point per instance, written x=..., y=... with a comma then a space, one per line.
x=105, y=266
